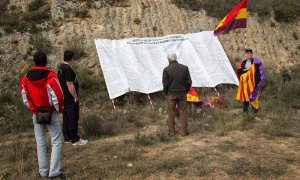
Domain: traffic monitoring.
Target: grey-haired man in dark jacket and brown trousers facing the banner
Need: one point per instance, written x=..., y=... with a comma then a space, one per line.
x=176, y=82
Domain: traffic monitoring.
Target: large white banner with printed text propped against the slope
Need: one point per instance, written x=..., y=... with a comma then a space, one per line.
x=136, y=64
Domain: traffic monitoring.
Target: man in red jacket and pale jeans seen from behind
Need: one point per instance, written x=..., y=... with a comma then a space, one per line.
x=40, y=88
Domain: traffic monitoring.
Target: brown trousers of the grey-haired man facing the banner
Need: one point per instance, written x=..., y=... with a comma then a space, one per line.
x=180, y=100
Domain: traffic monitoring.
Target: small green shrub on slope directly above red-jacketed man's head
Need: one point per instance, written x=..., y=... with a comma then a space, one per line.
x=40, y=43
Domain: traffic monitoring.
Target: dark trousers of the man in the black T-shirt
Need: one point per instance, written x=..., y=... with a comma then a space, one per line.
x=70, y=121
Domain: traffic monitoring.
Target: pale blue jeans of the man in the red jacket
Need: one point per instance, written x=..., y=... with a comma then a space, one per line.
x=56, y=142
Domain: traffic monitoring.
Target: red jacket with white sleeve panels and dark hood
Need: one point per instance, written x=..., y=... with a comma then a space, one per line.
x=44, y=89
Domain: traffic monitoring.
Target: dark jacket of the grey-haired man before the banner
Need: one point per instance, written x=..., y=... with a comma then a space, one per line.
x=176, y=78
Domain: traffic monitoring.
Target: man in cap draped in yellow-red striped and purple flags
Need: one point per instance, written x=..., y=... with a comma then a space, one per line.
x=251, y=76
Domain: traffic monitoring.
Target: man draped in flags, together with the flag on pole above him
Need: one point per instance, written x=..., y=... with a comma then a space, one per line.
x=250, y=71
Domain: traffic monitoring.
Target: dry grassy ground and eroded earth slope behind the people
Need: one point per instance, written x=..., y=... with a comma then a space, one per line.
x=131, y=142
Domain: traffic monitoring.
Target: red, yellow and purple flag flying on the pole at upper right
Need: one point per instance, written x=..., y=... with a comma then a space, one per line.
x=237, y=18
